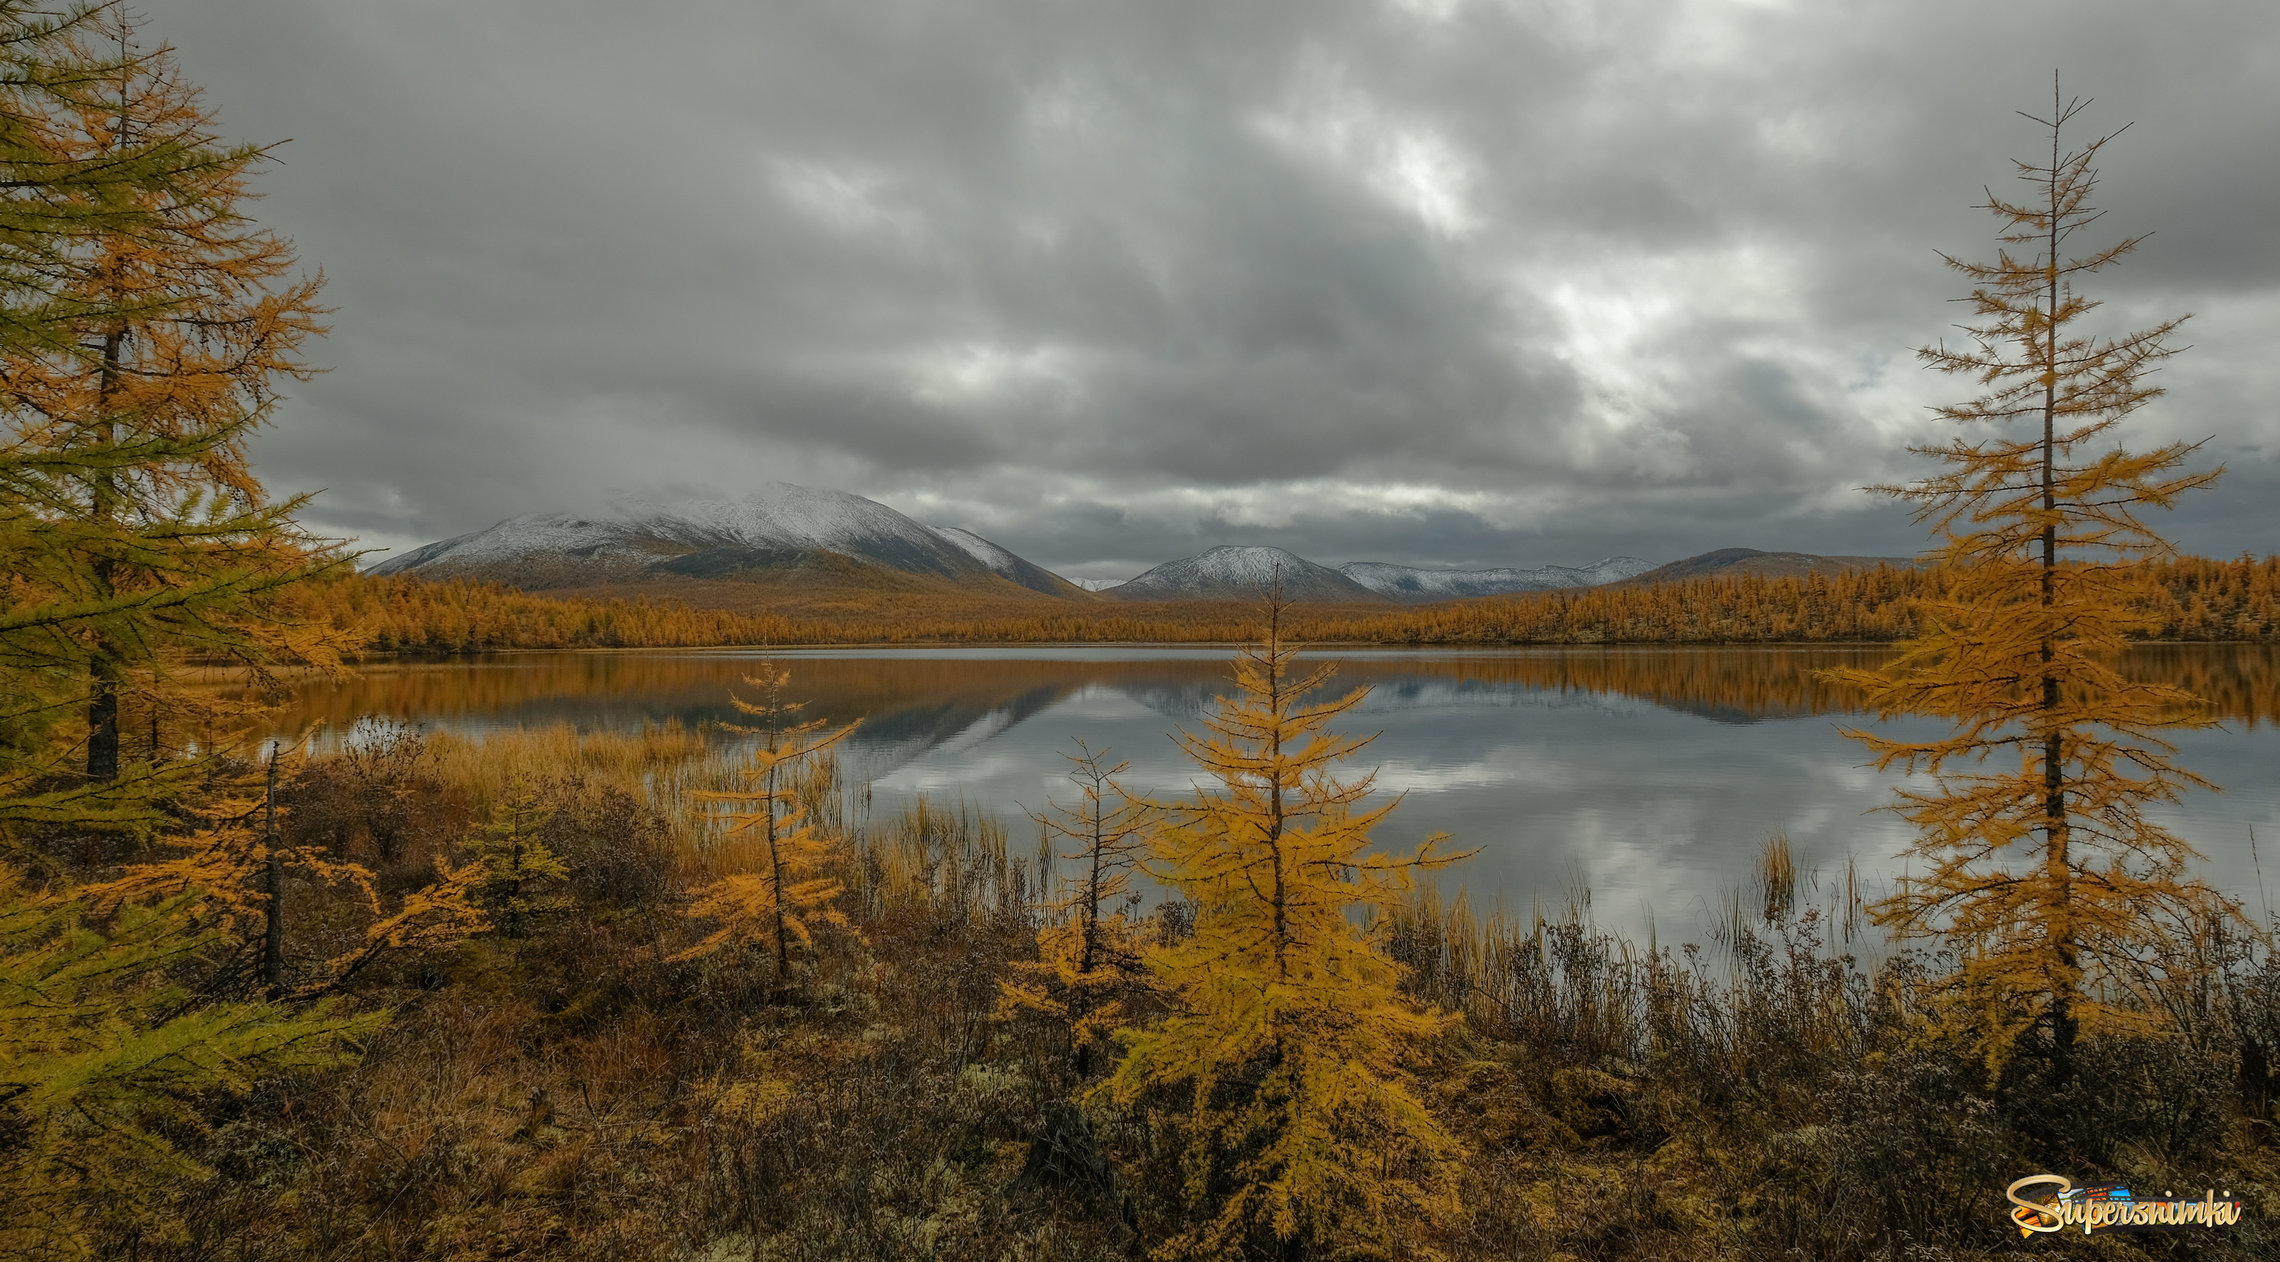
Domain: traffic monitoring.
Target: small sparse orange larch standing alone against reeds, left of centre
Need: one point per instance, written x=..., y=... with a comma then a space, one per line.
x=788, y=890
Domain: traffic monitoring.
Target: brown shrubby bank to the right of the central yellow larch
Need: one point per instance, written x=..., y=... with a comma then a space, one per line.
x=1784, y=1099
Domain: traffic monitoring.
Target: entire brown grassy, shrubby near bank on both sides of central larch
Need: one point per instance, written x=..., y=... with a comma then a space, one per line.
x=583, y=1092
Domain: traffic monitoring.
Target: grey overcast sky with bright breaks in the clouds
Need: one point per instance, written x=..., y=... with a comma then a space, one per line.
x=1433, y=281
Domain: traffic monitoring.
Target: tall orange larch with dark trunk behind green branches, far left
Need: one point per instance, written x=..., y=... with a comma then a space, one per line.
x=133, y=525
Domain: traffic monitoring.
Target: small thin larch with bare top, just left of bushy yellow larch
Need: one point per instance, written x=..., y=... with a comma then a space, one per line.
x=1089, y=951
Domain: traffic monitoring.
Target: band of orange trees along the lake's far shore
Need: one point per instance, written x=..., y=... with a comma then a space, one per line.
x=2183, y=600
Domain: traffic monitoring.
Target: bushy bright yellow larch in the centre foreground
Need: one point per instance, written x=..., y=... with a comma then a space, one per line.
x=1289, y=1031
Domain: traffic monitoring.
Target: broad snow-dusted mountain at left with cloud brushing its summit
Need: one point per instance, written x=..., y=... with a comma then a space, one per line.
x=776, y=525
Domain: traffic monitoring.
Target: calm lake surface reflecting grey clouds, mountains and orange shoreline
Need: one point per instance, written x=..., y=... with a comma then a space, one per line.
x=1647, y=778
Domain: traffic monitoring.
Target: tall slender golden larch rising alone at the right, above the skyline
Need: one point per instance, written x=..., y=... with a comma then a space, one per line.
x=2042, y=867
